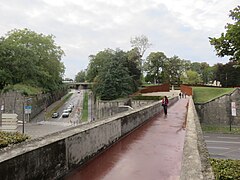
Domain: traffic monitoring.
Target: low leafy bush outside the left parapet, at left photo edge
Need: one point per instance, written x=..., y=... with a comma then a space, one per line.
x=7, y=138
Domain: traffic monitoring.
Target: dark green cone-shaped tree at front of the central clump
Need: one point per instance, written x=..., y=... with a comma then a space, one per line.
x=113, y=80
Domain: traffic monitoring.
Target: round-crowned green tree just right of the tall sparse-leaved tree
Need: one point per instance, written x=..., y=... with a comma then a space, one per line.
x=154, y=65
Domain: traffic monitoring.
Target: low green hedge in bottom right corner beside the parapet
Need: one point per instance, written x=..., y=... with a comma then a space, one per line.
x=226, y=169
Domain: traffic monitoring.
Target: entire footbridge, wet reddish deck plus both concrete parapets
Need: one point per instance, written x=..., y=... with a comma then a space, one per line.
x=158, y=147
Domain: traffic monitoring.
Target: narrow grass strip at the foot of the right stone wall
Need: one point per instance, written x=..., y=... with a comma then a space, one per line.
x=220, y=129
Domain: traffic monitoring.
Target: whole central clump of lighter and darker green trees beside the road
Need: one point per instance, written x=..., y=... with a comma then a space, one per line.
x=113, y=73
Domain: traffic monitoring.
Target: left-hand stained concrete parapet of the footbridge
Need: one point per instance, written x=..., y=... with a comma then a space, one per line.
x=55, y=155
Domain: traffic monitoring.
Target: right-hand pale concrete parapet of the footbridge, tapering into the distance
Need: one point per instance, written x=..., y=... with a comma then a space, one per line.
x=195, y=164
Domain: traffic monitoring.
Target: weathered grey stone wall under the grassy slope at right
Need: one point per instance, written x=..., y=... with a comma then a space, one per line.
x=218, y=111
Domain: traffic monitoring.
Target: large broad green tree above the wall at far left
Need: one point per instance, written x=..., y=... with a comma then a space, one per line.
x=30, y=58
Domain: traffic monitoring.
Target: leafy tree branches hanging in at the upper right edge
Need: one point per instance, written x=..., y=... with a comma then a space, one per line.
x=229, y=43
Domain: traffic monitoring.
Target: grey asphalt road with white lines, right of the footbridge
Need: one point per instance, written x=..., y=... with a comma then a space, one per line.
x=223, y=146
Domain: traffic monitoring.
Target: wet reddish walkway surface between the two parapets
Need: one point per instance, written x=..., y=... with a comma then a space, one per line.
x=152, y=152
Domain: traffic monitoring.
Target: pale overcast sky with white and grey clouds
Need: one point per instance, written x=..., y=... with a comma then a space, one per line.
x=85, y=27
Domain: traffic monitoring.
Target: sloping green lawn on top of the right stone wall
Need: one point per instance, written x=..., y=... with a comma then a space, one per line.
x=205, y=94
